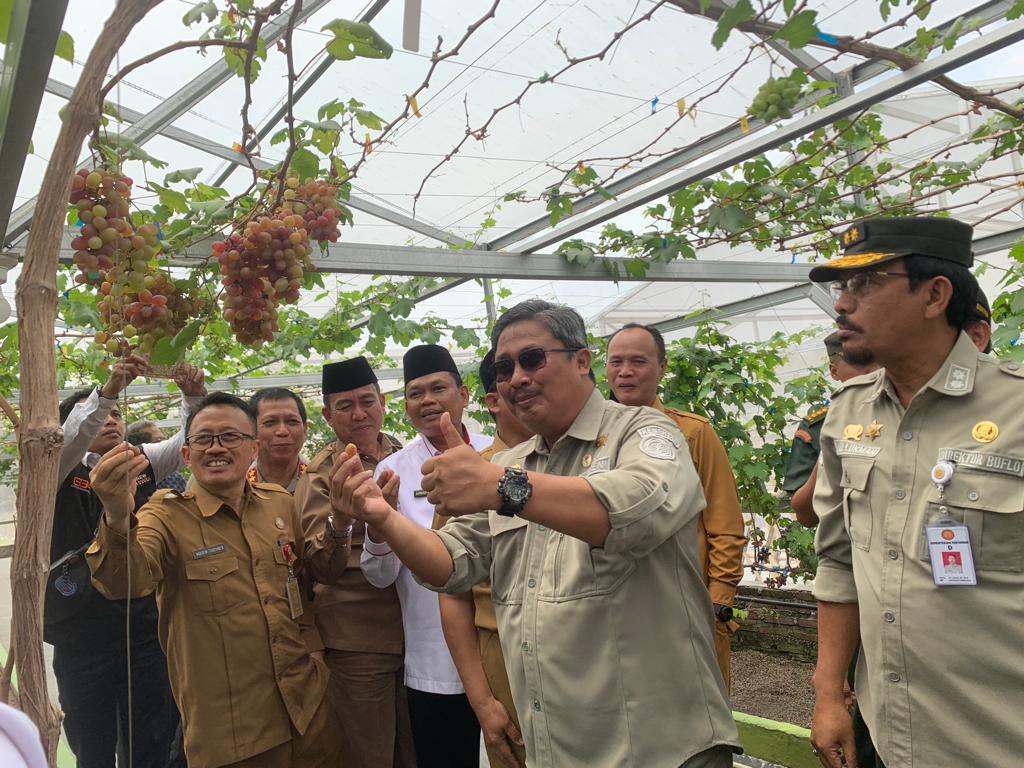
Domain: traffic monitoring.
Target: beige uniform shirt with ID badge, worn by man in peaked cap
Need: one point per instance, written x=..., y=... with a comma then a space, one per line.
x=941, y=678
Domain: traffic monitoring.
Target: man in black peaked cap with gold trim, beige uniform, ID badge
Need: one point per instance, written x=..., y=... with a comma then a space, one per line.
x=922, y=458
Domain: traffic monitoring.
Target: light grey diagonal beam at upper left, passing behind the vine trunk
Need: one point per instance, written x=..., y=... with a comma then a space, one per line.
x=179, y=103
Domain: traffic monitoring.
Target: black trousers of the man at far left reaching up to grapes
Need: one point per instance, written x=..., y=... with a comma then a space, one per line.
x=93, y=688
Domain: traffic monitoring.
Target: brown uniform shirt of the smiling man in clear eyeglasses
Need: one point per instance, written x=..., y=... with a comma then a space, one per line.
x=240, y=671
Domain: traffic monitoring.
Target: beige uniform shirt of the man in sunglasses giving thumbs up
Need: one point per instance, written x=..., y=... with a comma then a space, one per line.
x=610, y=650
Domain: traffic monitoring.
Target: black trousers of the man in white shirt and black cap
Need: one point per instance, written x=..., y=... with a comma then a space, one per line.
x=445, y=731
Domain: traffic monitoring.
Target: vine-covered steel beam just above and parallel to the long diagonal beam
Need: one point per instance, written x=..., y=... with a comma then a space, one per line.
x=987, y=14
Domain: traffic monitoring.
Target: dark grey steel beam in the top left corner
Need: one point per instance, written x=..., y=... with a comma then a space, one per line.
x=32, y=38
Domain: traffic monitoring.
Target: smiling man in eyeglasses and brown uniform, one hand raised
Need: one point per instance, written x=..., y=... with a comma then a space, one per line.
x=224, y=559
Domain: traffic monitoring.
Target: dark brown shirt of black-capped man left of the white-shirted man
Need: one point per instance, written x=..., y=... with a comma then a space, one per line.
x=352, y=615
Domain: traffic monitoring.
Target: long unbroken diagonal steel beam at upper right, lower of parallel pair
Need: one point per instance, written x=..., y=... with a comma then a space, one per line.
x=994, y=41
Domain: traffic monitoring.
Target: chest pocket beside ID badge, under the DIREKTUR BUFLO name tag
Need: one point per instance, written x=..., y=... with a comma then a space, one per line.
x=993, y=508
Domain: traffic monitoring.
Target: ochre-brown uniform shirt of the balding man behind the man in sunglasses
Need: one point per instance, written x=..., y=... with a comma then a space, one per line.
x=720, y=527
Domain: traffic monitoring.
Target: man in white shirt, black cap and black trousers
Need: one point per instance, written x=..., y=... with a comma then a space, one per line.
x=445, y=730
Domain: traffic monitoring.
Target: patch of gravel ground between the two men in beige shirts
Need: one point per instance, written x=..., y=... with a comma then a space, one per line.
x=774, y=688
